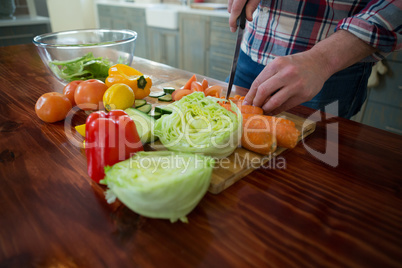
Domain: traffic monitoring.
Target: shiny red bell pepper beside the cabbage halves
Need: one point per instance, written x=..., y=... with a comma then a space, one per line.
x=110, y=138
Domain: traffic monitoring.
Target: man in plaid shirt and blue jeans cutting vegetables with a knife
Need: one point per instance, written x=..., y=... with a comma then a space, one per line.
x=313, y=52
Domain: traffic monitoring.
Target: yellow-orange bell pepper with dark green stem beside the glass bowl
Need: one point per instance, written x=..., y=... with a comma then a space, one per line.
x=140, y=84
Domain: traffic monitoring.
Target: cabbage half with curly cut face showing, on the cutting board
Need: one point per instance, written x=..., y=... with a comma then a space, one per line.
x=198, y=124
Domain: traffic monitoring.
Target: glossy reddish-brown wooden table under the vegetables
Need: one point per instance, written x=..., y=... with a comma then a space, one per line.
x=309, y=213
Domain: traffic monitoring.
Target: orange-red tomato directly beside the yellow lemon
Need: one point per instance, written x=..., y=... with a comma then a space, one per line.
x=89, y=94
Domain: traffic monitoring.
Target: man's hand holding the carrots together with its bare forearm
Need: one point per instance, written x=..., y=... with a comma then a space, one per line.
x=291, y=80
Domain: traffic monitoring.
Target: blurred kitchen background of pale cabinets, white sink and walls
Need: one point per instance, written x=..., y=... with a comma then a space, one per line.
x=188, y=34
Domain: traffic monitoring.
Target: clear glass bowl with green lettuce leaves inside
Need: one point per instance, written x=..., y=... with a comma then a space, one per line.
x=85, y=54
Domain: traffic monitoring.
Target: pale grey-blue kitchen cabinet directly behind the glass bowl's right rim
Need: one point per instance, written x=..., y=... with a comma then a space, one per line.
x=120, y=17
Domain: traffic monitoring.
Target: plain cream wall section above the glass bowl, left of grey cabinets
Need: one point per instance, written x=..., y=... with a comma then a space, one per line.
x=71, y=14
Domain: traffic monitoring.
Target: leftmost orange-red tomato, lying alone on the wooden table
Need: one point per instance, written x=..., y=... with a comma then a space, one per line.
x=52, y=107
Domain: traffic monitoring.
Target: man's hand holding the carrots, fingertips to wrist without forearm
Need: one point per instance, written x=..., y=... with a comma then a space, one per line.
x=286, y=82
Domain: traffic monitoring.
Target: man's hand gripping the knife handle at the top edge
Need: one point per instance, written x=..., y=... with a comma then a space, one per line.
x=236, y=6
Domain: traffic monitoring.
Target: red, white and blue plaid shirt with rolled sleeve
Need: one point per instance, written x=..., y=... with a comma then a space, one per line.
x=284, y=27
